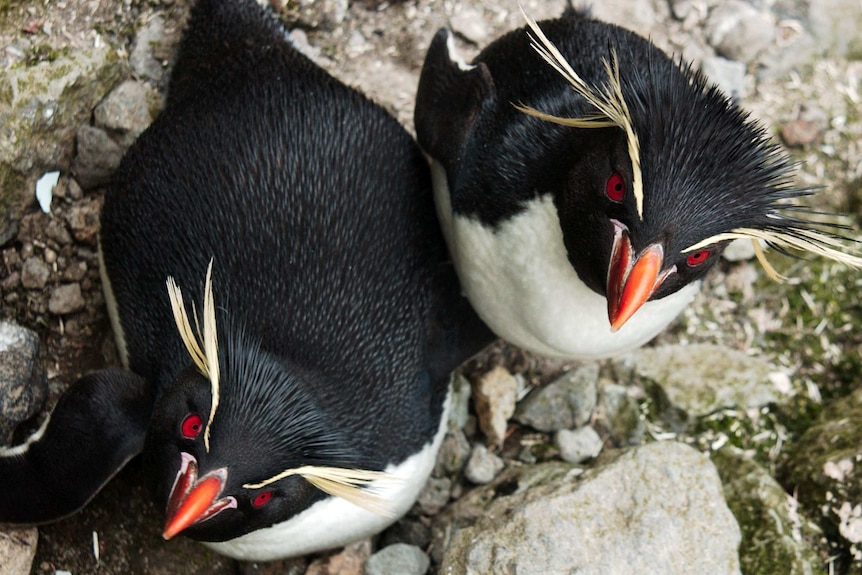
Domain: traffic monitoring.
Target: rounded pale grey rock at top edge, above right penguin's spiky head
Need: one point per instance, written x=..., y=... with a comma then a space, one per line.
x=738, y=31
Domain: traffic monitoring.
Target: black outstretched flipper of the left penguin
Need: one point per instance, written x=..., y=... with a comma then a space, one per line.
x=98, y=425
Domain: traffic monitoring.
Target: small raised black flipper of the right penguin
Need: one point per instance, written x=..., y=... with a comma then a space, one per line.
x=448, y=101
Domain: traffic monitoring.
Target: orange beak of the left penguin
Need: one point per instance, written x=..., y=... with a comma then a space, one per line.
x=192, y=500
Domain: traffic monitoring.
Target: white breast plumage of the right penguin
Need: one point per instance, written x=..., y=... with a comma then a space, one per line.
x=518, y=277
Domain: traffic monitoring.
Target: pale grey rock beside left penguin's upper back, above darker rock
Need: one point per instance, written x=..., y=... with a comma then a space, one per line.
x=124, y=112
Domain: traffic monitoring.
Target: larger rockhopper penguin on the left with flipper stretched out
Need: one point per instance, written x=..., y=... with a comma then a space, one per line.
x=281, y=296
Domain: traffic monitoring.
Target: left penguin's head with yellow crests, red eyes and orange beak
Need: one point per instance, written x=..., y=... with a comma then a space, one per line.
x=238, y=441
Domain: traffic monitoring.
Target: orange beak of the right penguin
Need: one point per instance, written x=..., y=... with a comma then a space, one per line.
x=631, y=283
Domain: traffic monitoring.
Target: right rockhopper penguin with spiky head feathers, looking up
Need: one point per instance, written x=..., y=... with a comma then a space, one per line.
x=586, y=182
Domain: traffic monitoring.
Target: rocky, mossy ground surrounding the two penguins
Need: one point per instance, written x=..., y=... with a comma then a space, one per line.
x=731, y=444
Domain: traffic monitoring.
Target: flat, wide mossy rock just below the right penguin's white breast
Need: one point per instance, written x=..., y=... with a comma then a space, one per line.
x=689, y=381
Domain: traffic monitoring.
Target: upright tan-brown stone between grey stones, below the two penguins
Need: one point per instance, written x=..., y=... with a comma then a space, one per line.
x=494, y=399
